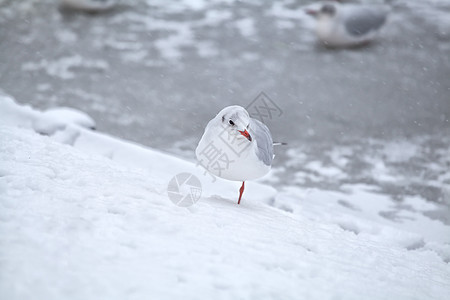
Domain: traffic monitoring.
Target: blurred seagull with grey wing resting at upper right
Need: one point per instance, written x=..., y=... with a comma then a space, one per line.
x=346, y=25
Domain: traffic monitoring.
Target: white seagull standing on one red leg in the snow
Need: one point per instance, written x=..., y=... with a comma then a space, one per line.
x=236, y=147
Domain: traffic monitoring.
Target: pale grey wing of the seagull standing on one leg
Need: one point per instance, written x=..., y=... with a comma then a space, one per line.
x=263, y=139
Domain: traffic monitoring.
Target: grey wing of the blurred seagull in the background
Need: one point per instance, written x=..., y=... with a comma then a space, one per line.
x=364, y=20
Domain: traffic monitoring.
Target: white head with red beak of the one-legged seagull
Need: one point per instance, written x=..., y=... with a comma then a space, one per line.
x=235, y=120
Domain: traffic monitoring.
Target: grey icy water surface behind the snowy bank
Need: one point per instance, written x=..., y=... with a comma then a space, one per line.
x=156, y=71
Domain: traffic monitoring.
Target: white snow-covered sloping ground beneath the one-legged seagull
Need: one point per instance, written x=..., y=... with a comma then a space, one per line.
x=84, y=215
